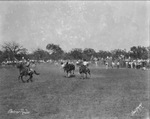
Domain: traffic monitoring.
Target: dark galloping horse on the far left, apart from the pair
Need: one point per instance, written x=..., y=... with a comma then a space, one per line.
x=26, y=71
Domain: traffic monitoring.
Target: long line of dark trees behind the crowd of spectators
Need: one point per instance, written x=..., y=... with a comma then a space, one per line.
x=14, y=51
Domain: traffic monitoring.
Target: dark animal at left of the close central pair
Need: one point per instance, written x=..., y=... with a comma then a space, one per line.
x=68, y=68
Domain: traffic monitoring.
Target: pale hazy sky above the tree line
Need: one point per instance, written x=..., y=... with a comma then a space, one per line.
x=101, y=25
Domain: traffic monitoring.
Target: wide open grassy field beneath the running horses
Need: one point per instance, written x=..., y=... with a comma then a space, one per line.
x=108, y=94
